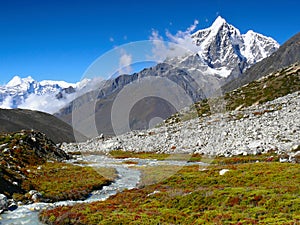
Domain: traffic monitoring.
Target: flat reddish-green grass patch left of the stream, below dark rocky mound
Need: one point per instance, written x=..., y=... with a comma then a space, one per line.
x=63, y=181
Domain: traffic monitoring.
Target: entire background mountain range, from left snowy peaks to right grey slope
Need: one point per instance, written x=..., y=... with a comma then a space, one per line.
x=223, y=61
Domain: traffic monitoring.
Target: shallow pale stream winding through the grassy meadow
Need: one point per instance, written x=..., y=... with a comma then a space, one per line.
x=128, y=178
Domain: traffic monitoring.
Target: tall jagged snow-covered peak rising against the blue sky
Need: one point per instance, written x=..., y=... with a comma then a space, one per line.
x=223, y=47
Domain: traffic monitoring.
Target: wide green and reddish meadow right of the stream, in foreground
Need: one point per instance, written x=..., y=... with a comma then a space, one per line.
x=250, y=193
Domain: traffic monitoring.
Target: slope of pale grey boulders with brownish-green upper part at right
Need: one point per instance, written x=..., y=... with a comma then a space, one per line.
x=254, y=129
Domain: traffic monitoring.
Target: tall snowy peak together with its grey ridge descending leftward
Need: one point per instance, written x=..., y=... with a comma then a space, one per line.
x=222, y=52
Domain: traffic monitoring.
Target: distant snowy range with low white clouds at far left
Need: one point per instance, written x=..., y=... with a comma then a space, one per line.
x=31, y=94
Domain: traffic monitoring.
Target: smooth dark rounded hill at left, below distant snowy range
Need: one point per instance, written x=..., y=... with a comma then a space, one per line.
x=13, y=120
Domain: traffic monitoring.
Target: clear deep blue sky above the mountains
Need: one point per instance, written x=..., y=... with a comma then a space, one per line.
x=58, y=40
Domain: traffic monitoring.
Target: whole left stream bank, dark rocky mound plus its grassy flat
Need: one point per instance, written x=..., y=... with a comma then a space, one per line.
x=30, y=161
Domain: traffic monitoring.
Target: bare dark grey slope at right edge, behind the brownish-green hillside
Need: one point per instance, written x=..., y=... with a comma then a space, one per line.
x=287, y=54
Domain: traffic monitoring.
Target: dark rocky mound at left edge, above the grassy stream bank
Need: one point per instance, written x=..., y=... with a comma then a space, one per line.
x=19, y=150
